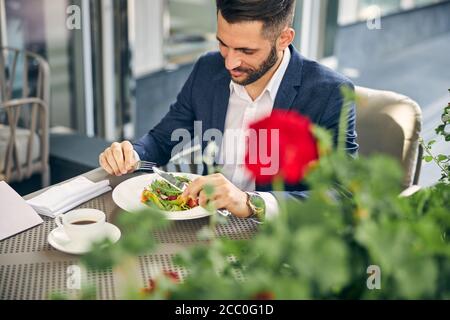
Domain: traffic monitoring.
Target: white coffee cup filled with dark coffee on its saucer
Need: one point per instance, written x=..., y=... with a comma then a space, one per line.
x=82, y=226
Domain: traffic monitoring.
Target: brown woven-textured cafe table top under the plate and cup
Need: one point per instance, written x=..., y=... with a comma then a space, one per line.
x=30, y=268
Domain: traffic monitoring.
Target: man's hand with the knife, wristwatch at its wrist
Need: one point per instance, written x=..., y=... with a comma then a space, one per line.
x=225, y=194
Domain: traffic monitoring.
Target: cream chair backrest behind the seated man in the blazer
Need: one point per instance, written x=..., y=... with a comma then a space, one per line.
x=390, y=123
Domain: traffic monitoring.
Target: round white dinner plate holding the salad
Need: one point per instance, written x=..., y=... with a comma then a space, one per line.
x=127, y=195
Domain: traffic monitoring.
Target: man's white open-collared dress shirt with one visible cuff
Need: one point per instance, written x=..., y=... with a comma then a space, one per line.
x=241, y=112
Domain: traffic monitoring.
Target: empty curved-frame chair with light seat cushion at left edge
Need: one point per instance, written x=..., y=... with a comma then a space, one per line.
x=24, y=99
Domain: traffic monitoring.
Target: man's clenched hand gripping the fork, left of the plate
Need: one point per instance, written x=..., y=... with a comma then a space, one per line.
x=118, y=159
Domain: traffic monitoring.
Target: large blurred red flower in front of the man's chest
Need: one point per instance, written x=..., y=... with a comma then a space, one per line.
x=287, y=152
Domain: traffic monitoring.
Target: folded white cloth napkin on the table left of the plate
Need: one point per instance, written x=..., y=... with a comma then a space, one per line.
x=62, y=198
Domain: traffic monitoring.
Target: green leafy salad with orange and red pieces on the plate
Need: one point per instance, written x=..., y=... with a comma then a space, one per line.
x=163, y=196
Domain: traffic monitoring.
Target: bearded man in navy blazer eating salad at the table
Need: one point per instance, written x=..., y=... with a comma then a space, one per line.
x=255, y=71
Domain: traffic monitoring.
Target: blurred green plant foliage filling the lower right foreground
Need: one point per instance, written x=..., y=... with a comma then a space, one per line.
x=356, y=240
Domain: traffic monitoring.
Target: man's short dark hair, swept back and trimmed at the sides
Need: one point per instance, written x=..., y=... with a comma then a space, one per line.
x=275, y=14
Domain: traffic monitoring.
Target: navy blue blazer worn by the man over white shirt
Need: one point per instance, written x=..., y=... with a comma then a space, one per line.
x=307, y=87
